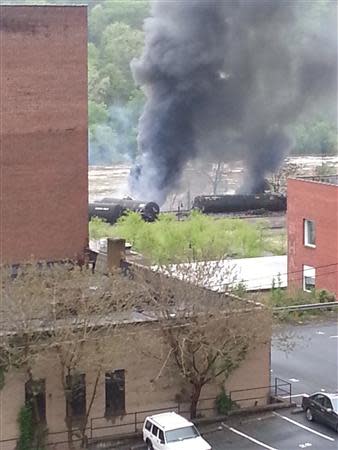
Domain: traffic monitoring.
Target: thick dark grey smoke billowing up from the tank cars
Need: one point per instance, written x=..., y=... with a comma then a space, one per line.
x=226, y=79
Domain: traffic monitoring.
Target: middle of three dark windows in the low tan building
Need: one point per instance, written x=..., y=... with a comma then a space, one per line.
x=76, y=398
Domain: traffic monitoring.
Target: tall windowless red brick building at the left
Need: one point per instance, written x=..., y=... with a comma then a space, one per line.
x=43, y=133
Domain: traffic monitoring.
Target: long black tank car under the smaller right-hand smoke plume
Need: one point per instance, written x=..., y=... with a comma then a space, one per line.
x=240, y=203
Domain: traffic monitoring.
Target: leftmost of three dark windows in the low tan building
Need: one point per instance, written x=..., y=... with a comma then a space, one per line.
x=35, y=397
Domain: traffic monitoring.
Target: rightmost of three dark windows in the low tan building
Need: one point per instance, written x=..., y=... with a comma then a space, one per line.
x=115, y=392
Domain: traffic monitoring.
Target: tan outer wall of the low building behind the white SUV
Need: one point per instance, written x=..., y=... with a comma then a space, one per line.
x=149, y=384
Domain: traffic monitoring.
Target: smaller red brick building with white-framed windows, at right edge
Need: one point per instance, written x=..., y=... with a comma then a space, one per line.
x=312, y=217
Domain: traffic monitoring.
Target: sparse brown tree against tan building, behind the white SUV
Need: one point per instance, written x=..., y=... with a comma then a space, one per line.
x=208, y=334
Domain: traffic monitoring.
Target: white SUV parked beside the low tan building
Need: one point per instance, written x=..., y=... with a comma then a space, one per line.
x=170, y=431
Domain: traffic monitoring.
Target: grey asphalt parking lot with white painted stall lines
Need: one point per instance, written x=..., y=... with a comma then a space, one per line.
x=312, y=366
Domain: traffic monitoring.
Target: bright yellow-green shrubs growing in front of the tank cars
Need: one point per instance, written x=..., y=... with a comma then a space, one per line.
x=197, y=238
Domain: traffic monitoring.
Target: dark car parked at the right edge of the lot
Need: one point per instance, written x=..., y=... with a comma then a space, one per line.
x=322, y=407
